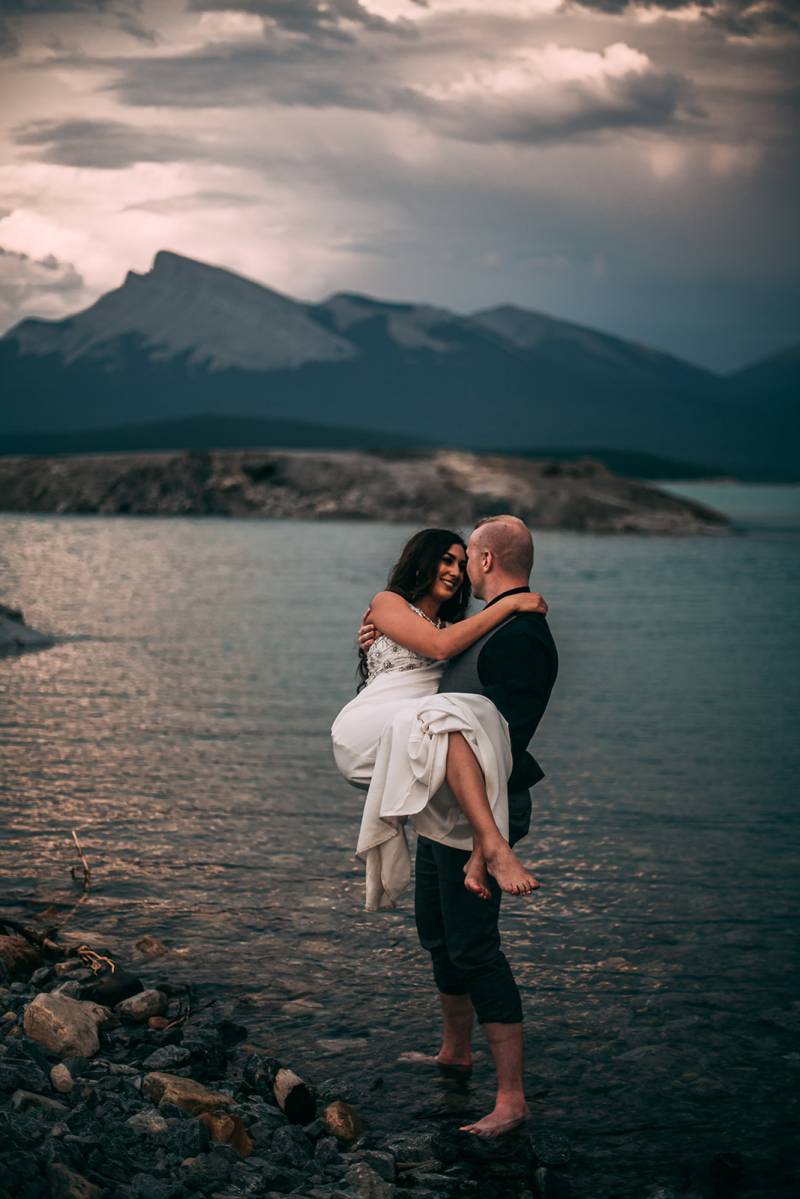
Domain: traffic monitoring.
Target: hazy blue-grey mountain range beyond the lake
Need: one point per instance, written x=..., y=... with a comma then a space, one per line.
x=188, y=340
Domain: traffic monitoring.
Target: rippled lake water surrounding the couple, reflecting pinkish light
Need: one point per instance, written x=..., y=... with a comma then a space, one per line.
x=182, y=728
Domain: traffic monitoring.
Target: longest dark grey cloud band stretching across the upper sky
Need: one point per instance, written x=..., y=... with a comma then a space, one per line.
x=292, y=73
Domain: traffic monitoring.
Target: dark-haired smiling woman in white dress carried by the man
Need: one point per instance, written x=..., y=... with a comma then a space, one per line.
x=442, y=760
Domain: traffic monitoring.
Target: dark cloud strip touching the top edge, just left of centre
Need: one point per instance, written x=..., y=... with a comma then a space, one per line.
x=312, y=19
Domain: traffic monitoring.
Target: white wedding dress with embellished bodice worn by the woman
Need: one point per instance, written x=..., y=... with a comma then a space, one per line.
x=392, y=740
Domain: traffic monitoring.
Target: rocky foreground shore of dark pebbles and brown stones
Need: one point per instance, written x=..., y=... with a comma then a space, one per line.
x=111, y=1088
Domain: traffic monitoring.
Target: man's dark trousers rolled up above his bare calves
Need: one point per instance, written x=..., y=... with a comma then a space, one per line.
x=461, y=935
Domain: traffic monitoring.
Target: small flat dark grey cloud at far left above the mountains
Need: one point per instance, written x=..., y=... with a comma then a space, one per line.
x=104, y=146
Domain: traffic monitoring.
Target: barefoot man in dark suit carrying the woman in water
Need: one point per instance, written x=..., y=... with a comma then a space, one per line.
x=515, y=666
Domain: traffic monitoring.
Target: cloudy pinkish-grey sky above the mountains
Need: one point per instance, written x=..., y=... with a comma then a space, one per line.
x=630, y=167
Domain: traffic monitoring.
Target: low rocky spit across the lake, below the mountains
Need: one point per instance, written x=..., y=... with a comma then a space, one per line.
x=432, y=487
